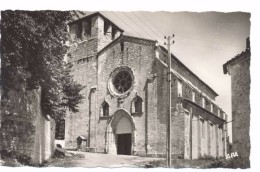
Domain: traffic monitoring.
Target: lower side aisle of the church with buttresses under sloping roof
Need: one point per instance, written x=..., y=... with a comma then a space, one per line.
x=204, y=132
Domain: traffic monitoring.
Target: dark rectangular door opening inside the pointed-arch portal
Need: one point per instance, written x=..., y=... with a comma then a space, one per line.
x=124, y=144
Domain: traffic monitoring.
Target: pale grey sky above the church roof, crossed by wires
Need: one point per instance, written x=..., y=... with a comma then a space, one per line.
x=202, y=41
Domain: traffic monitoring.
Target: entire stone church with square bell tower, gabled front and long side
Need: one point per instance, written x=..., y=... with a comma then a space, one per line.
x=126, y=99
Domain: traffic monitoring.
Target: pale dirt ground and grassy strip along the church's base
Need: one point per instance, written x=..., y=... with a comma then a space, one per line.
x=86, y=159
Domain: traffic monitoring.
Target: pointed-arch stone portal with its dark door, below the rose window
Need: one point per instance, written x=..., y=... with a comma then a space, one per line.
x=120, y=134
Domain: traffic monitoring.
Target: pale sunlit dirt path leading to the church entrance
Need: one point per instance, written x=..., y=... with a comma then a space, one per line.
x=106, y=160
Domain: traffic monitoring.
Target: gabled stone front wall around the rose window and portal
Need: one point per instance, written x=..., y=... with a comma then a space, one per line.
x=137, y=55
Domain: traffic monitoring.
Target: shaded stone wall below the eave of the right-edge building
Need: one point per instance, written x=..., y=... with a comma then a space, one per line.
x=240, y=79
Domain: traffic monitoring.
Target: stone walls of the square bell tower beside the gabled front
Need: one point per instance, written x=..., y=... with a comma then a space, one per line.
x=83, y=56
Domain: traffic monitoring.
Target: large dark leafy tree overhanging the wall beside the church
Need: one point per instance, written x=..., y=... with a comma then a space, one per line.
x=33, y=48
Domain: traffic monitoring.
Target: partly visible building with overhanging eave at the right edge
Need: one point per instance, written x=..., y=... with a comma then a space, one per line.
x=238, y=69
